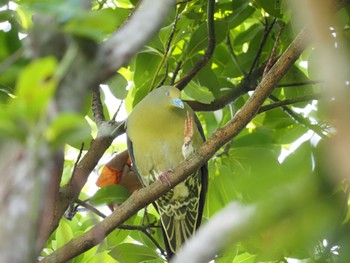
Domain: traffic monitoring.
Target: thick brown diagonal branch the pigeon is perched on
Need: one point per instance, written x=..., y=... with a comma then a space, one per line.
x=145, y=196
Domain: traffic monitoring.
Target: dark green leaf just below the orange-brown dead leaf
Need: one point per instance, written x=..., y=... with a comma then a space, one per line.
x=110, y=194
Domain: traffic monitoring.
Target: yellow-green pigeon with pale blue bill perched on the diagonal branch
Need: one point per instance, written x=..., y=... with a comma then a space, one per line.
x=162, y=131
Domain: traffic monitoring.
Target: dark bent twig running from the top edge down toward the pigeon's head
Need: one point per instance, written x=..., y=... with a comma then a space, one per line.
x=209, y=51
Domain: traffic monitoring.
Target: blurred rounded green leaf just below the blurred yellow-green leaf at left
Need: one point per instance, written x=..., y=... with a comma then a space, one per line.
x=69, y=128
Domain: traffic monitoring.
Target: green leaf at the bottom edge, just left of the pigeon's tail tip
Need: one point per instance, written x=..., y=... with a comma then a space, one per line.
x=132, y=253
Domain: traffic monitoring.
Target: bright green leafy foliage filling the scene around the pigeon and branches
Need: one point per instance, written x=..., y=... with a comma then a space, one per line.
x=281, y=152
